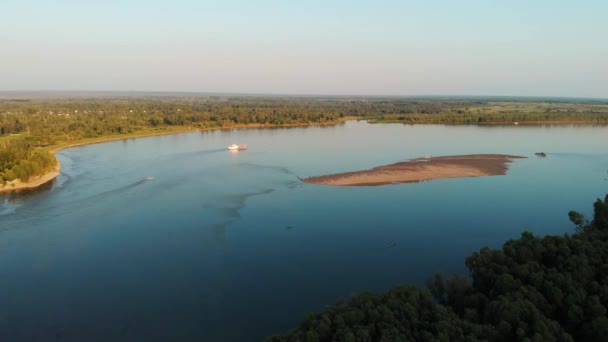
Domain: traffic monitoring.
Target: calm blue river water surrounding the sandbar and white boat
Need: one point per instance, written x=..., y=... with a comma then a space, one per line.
x=224, y=246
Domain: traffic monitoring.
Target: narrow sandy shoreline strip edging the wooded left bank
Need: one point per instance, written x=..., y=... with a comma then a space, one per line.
x=17, y=185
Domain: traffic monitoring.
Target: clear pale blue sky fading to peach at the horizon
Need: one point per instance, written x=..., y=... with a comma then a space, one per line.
x=333, y=47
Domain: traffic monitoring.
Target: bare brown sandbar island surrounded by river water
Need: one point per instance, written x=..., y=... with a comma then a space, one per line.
x=422, y=169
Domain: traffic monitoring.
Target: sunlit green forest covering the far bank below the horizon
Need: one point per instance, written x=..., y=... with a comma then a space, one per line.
x=31, y=127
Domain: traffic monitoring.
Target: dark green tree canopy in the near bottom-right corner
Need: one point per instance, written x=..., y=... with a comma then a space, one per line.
x=553, y=288
